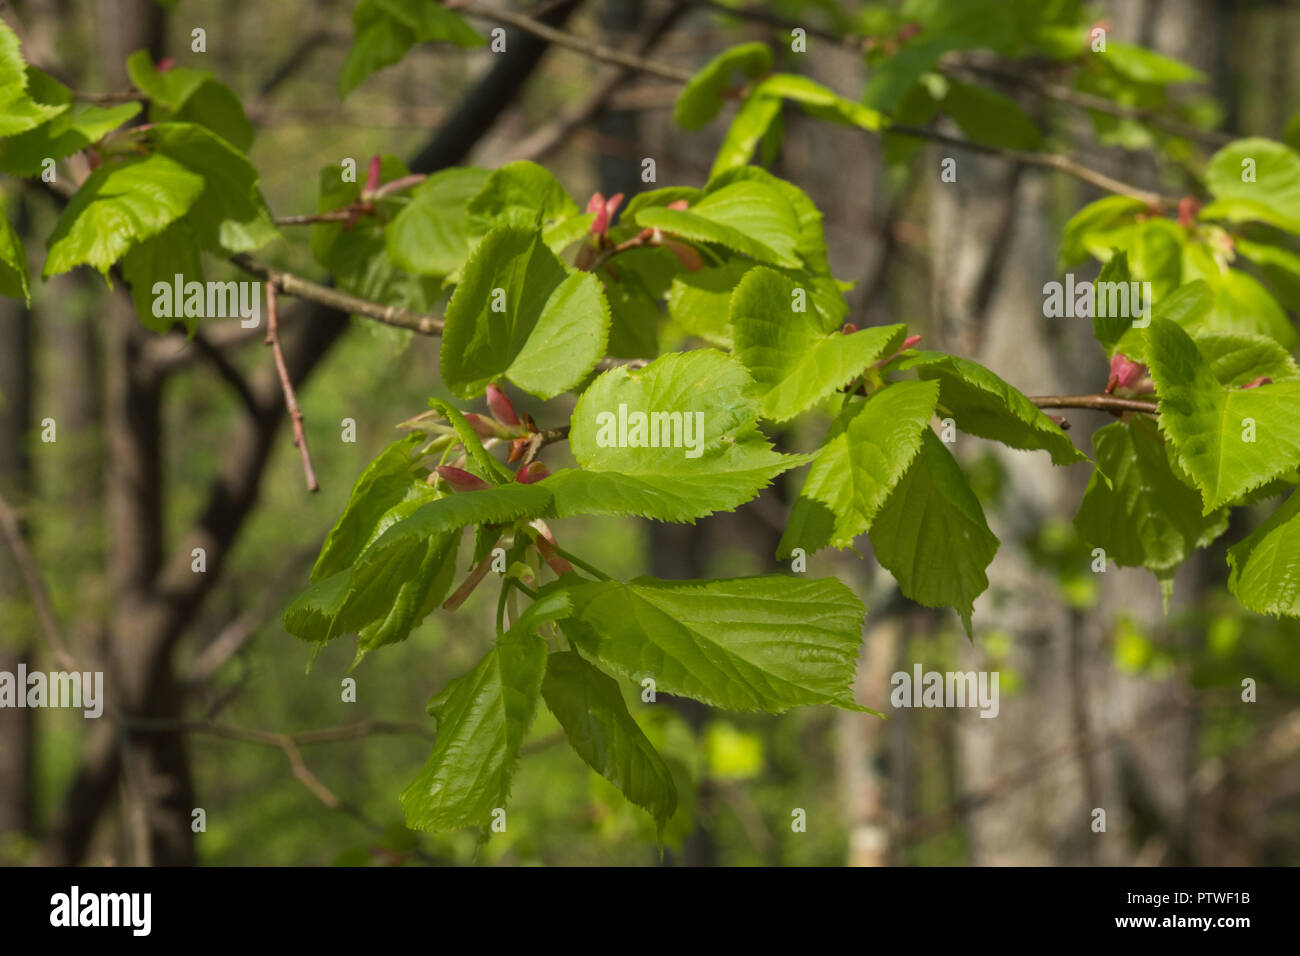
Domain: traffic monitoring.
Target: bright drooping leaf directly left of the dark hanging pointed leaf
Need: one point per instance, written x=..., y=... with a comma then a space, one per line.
x=866, y=453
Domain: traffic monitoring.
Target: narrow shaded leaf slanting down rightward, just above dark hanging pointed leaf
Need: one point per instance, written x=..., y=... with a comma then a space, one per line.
x=982, y=404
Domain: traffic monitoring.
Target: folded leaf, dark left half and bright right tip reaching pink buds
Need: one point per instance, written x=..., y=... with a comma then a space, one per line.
x=794, y=361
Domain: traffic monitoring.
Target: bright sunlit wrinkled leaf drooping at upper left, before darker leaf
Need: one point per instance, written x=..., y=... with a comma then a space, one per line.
x=120, y=205
